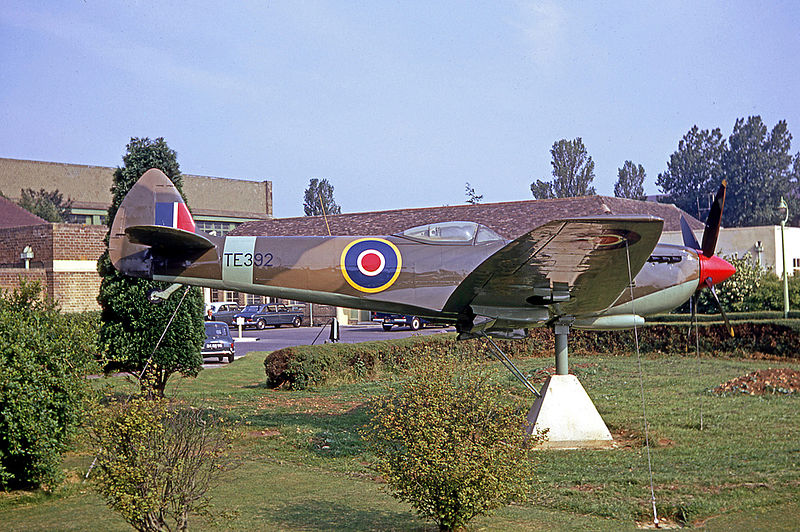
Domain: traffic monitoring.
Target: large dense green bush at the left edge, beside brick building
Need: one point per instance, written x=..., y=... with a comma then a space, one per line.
x=44, y=357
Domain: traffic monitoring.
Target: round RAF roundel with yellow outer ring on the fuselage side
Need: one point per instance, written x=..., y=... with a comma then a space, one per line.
x=371, y=264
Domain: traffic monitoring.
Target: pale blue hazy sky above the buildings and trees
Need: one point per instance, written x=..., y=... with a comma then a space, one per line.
x=398, y=104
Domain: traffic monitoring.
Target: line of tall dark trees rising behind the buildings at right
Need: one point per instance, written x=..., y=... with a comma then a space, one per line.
x=756, y=162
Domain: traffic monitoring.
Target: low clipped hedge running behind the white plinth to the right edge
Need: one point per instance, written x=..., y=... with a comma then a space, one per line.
x=302, y=366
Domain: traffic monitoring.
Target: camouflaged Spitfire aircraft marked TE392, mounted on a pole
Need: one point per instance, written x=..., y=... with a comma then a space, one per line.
x=602, y=272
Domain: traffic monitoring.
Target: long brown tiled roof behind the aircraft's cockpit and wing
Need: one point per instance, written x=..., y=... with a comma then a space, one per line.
x=508, y=219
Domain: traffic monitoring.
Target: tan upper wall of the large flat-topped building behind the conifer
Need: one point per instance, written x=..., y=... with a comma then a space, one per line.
x=89, y=187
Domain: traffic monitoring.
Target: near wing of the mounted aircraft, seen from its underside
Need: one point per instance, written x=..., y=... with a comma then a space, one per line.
x=578, y=265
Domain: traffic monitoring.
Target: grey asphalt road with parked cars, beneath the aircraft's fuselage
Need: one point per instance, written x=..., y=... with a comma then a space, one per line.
x=272, y=339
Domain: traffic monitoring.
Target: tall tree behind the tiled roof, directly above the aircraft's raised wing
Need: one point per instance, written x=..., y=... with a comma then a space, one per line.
x=573, y=172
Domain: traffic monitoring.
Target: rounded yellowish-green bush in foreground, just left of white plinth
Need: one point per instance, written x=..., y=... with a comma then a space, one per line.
x=449, y=441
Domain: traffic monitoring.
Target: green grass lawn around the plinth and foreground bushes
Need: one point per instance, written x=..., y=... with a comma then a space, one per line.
x=304, y=467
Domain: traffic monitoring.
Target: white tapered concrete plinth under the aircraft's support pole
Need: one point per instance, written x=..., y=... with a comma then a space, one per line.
x=572, y=419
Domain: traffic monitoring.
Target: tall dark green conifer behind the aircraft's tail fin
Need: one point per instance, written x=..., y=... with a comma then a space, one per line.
x=131, y=326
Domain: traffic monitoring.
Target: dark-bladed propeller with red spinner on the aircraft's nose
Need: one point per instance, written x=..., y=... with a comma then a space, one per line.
x=713, y=269
